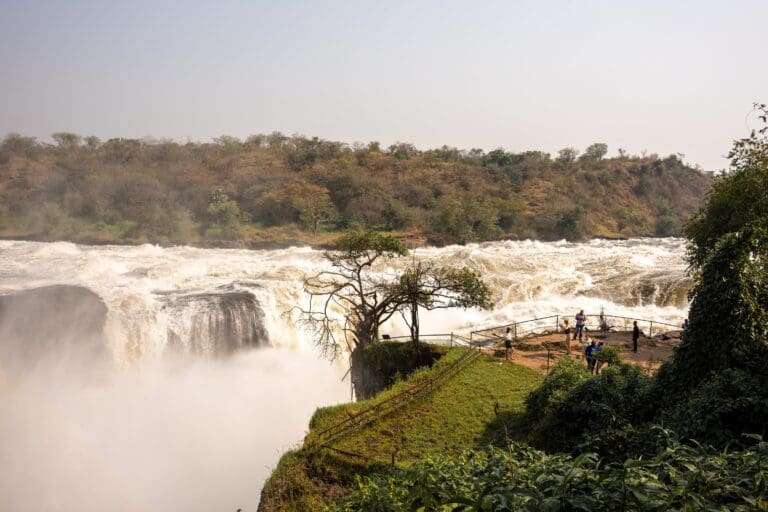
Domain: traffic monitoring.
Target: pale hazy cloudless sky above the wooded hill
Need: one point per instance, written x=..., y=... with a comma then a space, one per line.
x=661, y=76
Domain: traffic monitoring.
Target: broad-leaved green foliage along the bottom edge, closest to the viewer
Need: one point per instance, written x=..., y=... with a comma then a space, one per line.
x=678, y=477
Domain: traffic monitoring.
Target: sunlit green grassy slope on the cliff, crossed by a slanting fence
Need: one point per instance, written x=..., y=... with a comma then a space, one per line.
x=476, y=408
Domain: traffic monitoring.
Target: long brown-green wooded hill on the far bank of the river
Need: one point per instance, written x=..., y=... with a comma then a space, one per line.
x=279, y=189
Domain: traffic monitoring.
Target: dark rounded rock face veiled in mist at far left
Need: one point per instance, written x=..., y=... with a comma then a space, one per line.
x=53, y=323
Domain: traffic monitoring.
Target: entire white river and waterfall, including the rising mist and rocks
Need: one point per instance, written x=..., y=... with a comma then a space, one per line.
x=144, y=378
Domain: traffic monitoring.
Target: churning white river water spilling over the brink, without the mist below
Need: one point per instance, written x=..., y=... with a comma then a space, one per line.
x=210, y=303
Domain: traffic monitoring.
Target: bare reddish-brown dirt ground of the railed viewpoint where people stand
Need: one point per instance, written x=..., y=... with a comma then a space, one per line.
x=532, y=352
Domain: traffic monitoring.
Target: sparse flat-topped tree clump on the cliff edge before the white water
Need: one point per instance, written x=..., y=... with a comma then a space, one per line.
x=365, y=299
